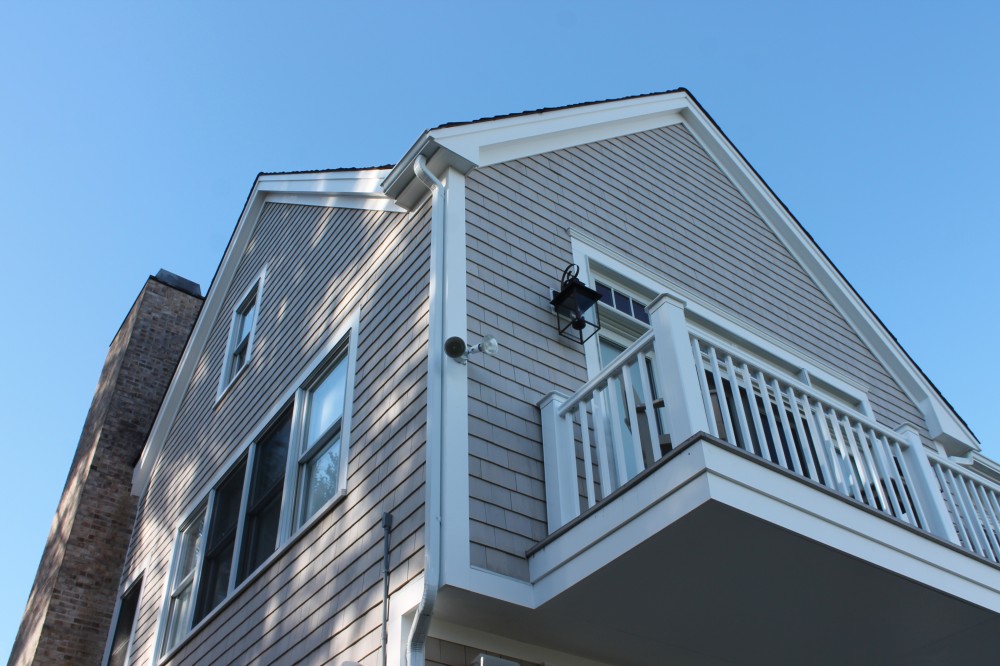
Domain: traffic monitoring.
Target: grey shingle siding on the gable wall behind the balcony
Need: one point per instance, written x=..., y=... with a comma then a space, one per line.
x=654, y=196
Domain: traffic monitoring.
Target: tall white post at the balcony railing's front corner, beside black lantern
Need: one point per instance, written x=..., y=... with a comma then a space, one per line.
x=675, y=368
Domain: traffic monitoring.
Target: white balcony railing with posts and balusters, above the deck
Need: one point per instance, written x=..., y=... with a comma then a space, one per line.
x=676, y=381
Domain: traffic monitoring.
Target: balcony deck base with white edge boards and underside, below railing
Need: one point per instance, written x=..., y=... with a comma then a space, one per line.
x=714, y=556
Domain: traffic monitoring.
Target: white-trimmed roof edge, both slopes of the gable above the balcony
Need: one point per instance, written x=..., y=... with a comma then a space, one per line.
x=467, y=145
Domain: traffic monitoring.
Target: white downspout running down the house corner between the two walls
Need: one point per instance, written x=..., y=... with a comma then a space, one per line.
x=435, y=409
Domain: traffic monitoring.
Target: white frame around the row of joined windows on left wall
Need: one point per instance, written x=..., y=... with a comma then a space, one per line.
x=342, y=344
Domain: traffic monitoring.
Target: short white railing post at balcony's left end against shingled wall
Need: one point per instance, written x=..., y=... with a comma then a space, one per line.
x=562, y=495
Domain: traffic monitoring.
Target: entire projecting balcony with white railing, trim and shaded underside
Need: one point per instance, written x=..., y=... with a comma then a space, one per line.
x=707, y=503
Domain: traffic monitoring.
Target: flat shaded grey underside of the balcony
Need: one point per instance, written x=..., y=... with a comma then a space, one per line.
x=719, y=586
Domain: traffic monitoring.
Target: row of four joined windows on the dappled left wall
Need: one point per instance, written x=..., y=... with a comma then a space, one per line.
x=264, y=497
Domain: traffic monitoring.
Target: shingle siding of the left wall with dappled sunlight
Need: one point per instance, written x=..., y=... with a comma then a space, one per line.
x=322, y=594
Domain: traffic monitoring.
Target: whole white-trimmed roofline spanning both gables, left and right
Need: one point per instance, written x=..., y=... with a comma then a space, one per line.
x=470, y=144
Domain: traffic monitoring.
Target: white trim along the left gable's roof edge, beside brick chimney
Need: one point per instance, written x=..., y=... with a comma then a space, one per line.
x=363, y=185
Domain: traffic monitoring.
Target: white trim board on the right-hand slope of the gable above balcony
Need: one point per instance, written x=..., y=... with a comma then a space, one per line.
x=944, y=425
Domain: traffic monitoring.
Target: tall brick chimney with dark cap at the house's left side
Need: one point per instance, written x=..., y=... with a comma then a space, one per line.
x=69, y=611
